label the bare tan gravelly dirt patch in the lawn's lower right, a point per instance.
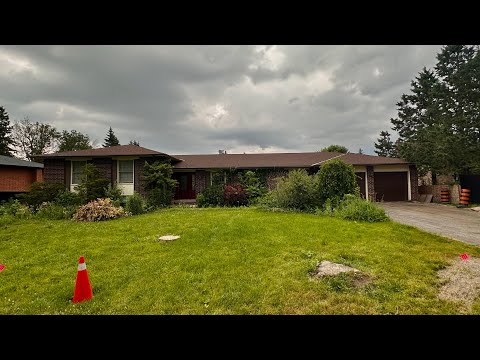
(462, 281)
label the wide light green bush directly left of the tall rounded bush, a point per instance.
(296, 191)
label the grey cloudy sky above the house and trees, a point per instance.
(199, 99)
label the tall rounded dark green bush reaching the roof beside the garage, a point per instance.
(335, 179)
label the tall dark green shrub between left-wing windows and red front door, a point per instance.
(159, 185)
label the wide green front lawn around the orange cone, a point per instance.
(228, 261)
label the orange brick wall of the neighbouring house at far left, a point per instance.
(18, 179)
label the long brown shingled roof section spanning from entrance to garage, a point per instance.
(280, 160)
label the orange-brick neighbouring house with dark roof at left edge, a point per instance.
(17, 175)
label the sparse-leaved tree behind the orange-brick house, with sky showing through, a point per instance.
(34, 138)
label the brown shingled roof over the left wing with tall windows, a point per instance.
(127, 150)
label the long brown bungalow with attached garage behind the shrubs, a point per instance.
(379, 178)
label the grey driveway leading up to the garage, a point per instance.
(456, 223)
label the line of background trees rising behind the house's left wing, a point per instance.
(25, 139)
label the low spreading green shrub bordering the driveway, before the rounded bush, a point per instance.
(356, 209)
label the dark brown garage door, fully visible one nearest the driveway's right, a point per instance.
(391, 186)
